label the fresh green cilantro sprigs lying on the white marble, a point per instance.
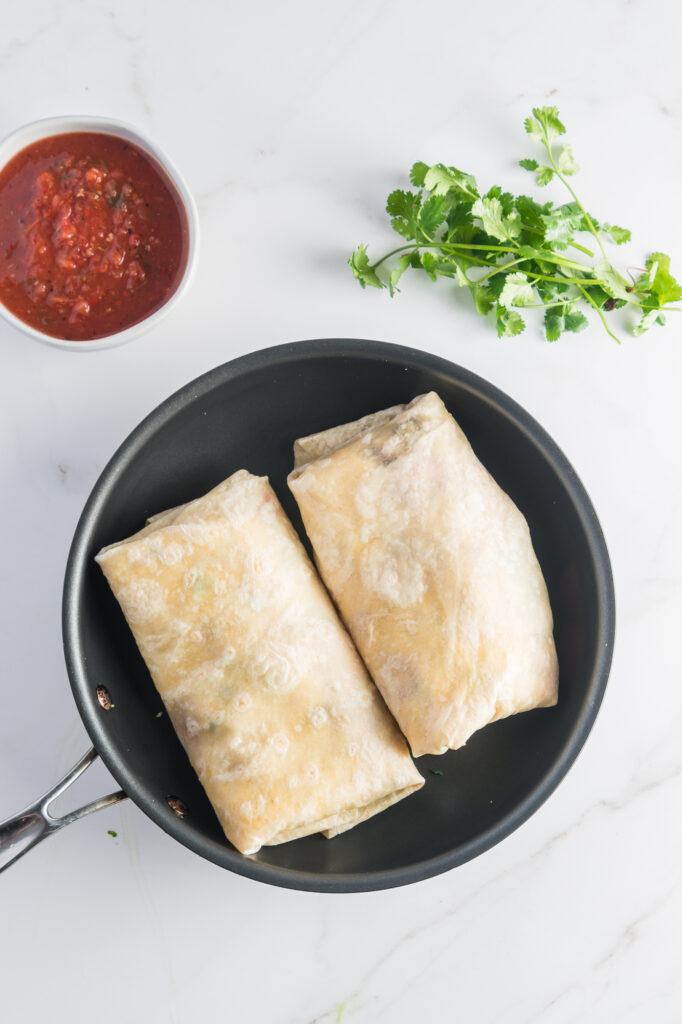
(514, 252)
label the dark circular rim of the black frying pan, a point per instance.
(271, 359)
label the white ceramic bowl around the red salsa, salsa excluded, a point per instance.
(59, 126)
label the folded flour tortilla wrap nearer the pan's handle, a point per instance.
(265, 689)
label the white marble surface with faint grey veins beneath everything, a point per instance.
(291, 123)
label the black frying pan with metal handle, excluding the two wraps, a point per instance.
(246, 415)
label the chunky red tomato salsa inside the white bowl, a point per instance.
(94, 236)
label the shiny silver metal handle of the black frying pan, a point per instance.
(26, 830)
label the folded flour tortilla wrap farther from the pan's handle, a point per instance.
(432, 567)
